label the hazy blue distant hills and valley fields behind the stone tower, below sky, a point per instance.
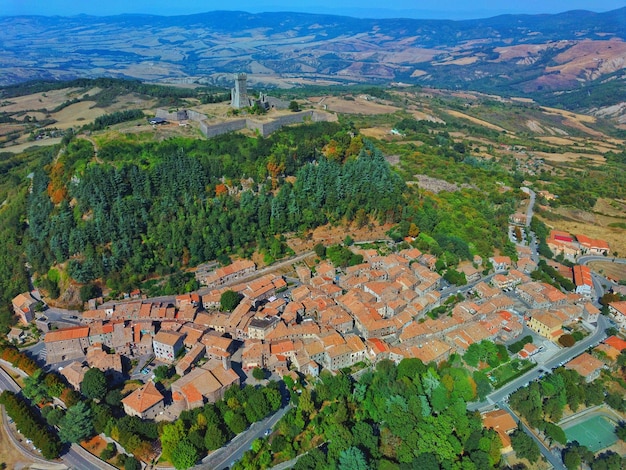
(504, 54)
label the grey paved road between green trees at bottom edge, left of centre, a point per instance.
(234, 450)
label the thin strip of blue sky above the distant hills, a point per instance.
(452, 9)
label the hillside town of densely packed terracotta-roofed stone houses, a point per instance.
(389, 306)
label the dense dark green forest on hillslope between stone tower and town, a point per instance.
(159, 207)
